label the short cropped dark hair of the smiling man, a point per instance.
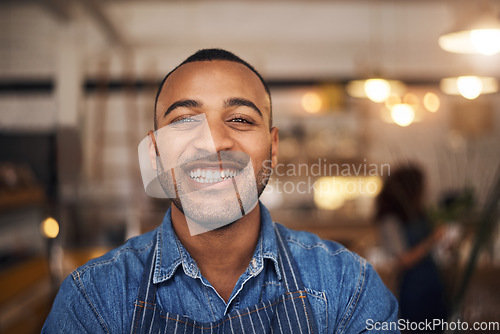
(210, 55)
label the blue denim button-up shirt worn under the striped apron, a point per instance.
(345, 292)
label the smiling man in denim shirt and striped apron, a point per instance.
(218, 263)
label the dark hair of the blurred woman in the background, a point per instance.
(401, 194)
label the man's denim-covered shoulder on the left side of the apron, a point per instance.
(103, 288)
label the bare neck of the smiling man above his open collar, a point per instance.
(222, 255)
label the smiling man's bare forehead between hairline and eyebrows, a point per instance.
(213, 79)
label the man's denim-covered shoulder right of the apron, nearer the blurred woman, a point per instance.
(349, 286)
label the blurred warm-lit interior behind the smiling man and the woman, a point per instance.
(77, 86)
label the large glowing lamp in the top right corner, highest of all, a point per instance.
(477, 34)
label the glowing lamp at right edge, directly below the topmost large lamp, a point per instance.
(469, 86)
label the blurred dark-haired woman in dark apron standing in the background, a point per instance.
(409, 237)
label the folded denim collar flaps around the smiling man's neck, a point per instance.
(170, 253)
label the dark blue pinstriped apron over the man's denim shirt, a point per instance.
(289, 313)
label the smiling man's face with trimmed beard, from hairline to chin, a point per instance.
(231, 102)
